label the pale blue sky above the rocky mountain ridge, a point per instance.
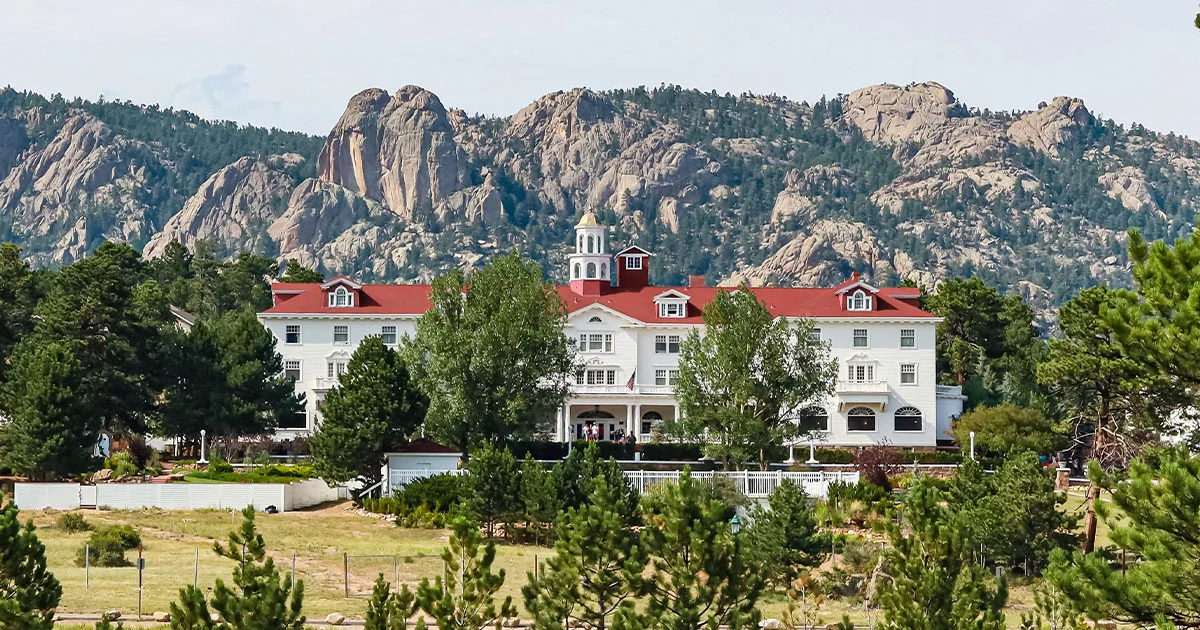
(295, 64)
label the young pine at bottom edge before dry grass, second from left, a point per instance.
(261, 598)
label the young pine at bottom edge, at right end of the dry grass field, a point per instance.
(465, 598)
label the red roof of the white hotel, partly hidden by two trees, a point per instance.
(638, 304)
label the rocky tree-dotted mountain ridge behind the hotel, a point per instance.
(901, 183)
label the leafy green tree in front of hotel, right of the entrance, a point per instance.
(743, 385)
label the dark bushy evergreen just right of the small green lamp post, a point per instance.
(784, 535)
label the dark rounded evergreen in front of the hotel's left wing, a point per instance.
(374, 409)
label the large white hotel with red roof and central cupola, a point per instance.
(629, 335)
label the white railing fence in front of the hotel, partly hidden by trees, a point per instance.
(753, 484)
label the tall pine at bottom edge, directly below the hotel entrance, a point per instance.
(596, 572)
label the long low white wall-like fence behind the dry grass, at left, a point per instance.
(175, 496)
